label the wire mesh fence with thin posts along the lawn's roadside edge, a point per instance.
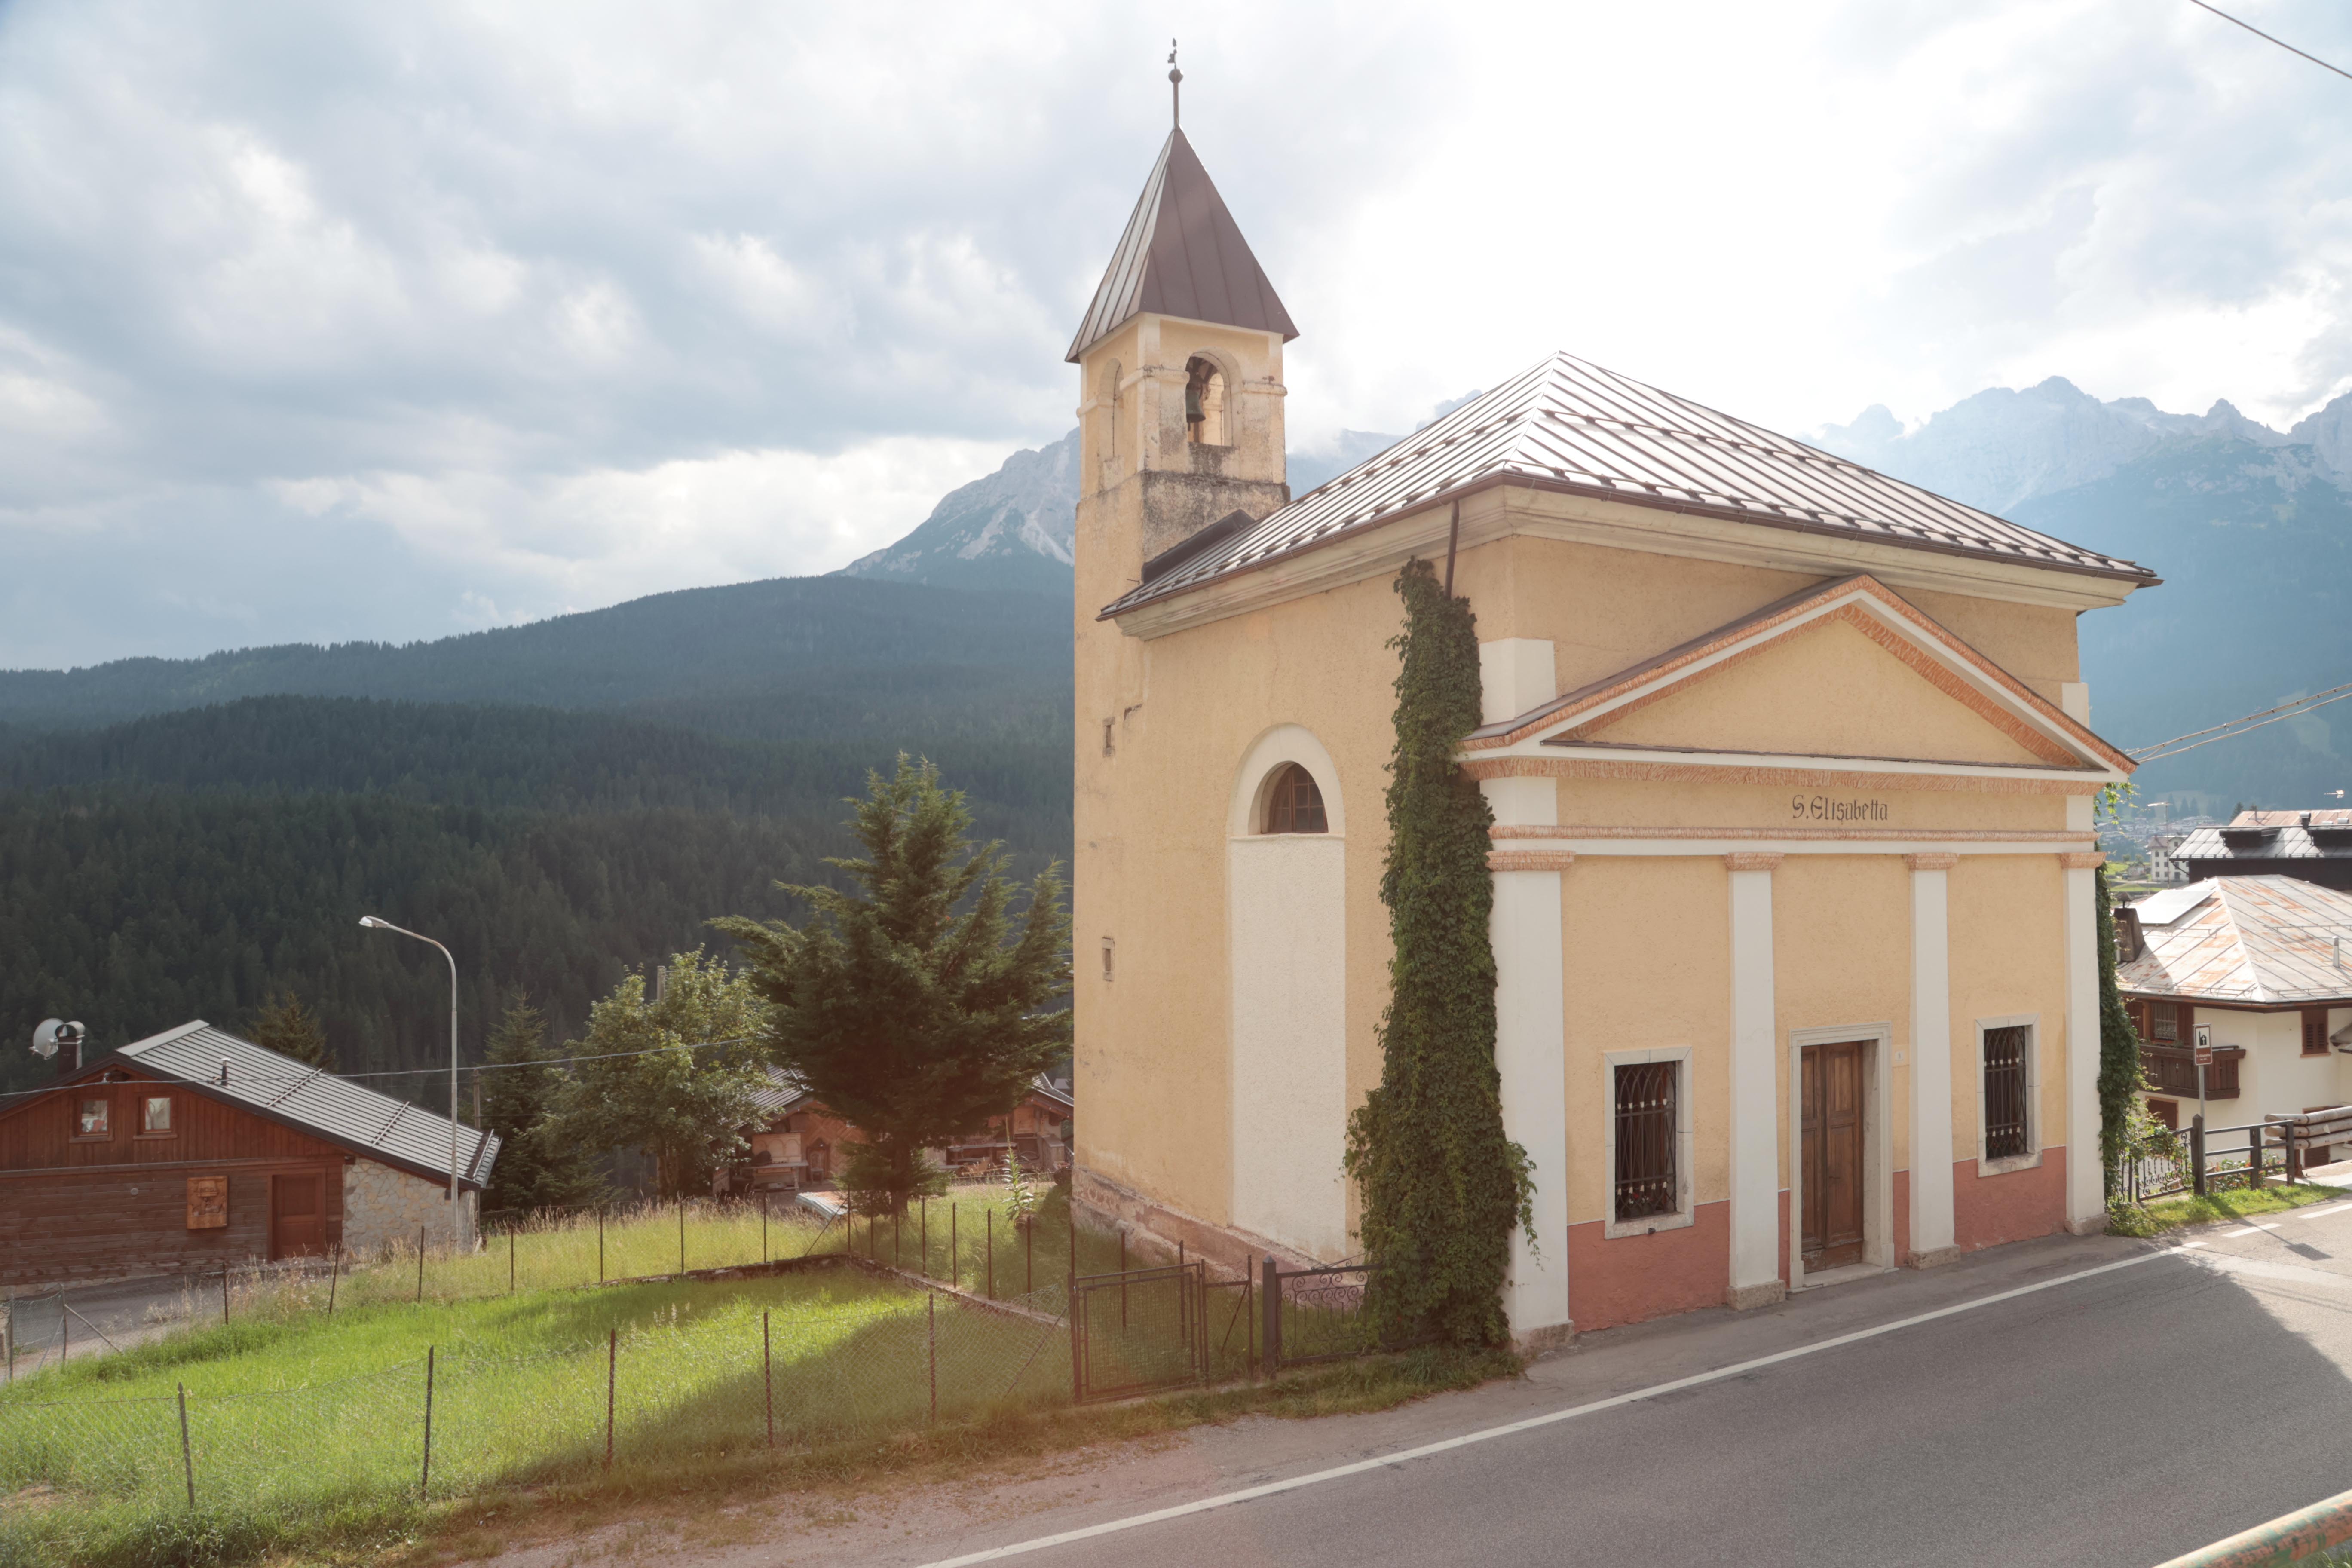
(457, 1423)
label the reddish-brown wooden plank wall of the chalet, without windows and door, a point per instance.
(98, 1207)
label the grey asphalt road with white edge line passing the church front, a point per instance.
(2113, 1419)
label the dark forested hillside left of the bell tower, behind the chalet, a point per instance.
(559, 803)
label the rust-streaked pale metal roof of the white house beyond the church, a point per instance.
(2259, 942)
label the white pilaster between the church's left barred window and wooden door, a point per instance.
(1756, 1099)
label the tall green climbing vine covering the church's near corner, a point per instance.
(1441, 1181)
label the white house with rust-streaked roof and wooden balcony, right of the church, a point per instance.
(2264, 963)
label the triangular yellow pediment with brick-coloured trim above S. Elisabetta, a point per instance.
(1845, 671)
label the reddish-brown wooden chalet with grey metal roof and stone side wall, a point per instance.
(194, 1148)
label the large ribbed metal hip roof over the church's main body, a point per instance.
(1572, 427)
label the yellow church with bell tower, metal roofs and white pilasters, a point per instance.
(1793, 815)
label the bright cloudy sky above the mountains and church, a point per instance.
(396, 321)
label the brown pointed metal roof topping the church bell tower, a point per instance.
(1182, 255)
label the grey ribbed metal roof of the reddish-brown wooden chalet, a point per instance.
(312, 1099)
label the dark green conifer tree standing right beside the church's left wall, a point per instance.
(918, 1005)
